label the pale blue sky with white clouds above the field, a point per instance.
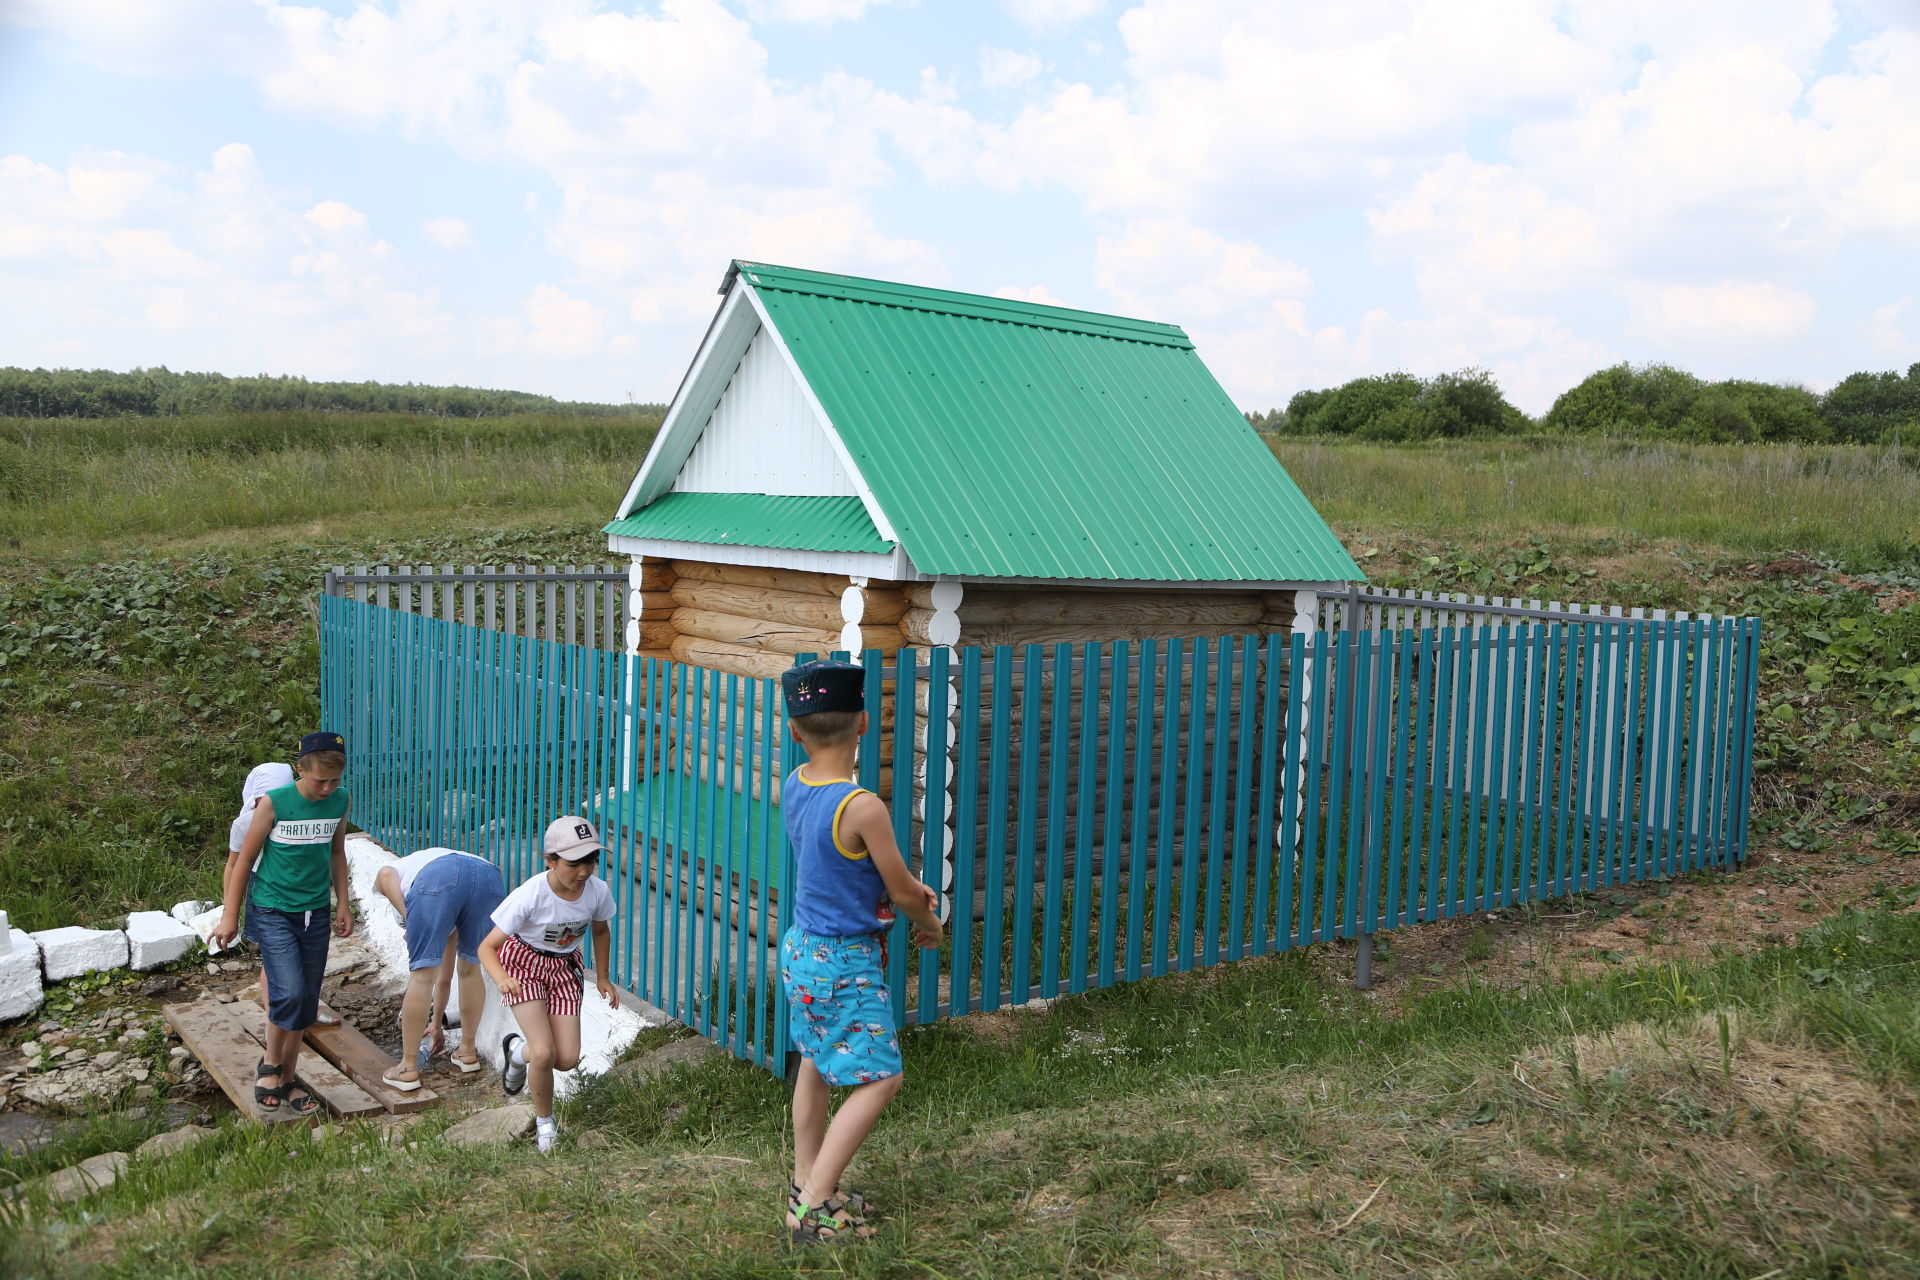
(546, 195)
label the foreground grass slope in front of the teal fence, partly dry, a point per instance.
(1716, 1122)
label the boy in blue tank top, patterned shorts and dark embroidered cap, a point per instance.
(832, 959)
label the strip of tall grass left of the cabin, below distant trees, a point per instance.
(133, 481)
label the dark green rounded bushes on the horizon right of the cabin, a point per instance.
(1644, 402)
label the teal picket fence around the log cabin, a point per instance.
(1092, 813)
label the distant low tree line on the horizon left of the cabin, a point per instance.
(166, 394)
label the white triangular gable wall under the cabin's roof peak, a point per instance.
(765, 437)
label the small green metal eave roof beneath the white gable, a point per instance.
(756, 521)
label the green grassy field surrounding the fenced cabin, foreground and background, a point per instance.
(1717, 1118)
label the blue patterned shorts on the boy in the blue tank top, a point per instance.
(840, 1008)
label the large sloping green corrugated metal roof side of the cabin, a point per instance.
(1013, 440)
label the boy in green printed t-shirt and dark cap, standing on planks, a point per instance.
(295, 853)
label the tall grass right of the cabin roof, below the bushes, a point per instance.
(1846, 500)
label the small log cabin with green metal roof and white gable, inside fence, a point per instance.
(857, 465)
